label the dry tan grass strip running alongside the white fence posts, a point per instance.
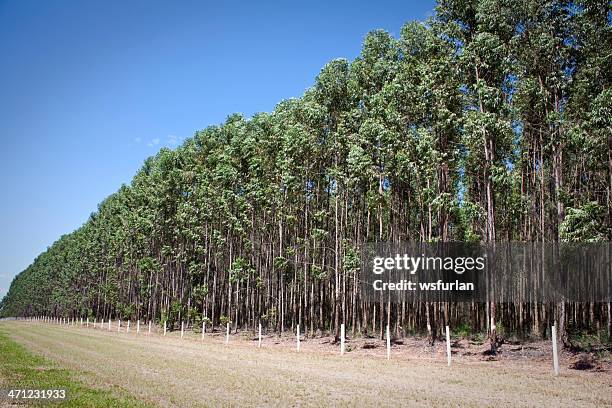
(171, 372)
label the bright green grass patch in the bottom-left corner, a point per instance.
(20, 369)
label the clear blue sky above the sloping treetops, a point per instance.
(89, 89)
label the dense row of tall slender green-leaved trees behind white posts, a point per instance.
(489, 122)
